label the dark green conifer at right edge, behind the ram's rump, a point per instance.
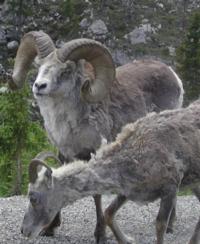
(188, 59)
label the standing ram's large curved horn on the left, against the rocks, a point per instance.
(32, 44)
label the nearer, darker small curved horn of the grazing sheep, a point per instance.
(33, 169)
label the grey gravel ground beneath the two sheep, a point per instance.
(79, 221)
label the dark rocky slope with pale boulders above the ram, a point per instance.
(130, 28)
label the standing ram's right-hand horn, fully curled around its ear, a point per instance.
(101, 59)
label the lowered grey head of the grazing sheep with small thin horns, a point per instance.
(44, 202)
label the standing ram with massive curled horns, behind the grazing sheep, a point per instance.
(82, 97)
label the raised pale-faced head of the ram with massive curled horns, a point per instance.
(59, 67)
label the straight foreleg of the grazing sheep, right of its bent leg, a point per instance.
(167, 204)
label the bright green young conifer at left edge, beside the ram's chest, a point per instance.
(20, 140)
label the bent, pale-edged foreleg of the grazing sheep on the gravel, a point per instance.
(110, 221)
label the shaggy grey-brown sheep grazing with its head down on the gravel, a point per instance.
(150, 159)
